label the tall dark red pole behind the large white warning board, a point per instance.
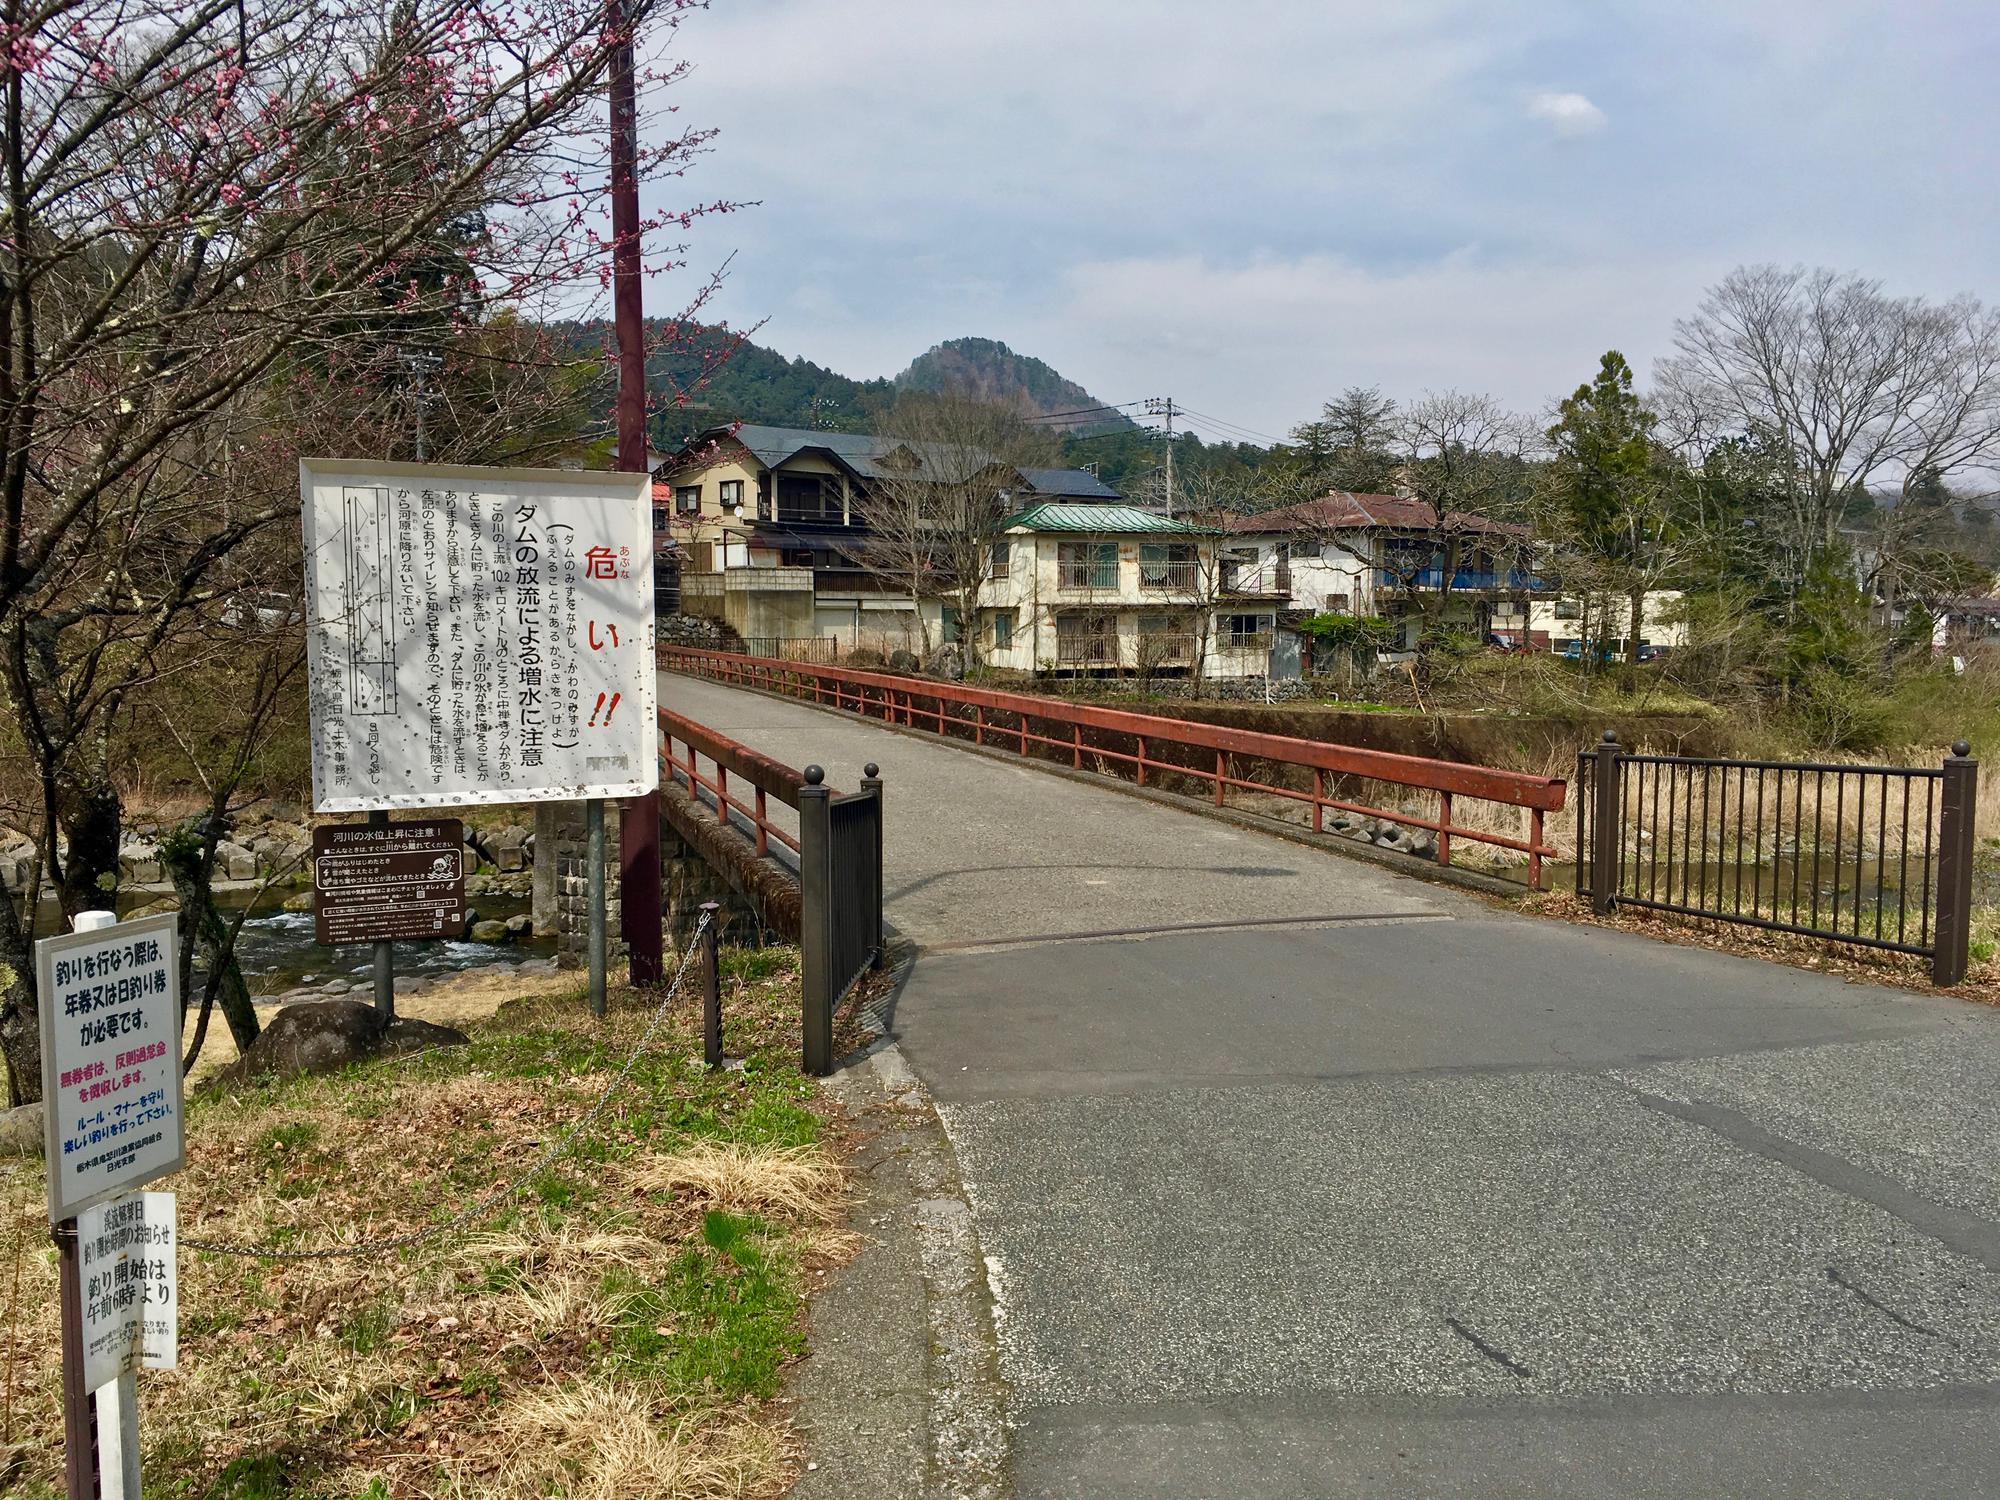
(639, 819)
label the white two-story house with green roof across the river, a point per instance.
(1109, 591)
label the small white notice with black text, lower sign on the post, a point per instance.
(131, 1281)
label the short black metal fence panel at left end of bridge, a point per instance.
(841, 901)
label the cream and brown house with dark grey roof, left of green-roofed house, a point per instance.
(765, 527)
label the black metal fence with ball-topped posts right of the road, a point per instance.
(1877, 857)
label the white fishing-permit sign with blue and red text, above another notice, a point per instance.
(111, 1061)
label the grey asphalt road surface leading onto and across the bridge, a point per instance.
(1301, 1177)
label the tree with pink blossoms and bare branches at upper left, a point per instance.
(221, 227)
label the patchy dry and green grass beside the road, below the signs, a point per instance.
(615, 1329)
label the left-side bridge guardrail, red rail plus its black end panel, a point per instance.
(839, 853)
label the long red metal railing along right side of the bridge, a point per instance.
(1153, 747)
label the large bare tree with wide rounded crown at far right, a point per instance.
(1845, 383)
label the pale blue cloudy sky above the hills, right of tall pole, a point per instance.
(1253, 205)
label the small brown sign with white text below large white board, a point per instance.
(391, 883)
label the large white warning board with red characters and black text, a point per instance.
(477, 635)
